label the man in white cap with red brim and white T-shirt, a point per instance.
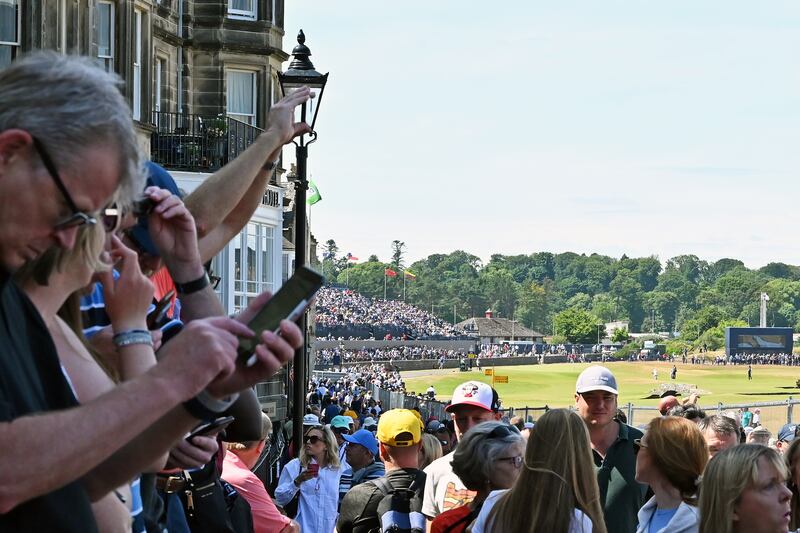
(473, 402)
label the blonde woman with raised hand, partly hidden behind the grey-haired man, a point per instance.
(51, 282)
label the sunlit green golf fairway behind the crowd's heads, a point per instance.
(554, 385)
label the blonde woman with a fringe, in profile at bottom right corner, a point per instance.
(744, 491)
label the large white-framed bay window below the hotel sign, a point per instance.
(253, 253)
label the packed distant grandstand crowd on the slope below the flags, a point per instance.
(343, 307)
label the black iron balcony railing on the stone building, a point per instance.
(198, 143)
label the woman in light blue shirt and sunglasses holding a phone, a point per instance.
(314, 479)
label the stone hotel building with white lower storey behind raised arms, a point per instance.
(200, 76)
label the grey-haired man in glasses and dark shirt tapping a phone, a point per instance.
(67, 145)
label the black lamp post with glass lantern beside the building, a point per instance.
(301, 73)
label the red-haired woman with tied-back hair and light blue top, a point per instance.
(671, 457)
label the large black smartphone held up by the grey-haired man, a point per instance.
(289, 303)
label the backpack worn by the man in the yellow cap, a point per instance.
(400, 510)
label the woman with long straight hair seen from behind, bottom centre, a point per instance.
(557, 489)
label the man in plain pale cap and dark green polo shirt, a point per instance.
(612, 447)
